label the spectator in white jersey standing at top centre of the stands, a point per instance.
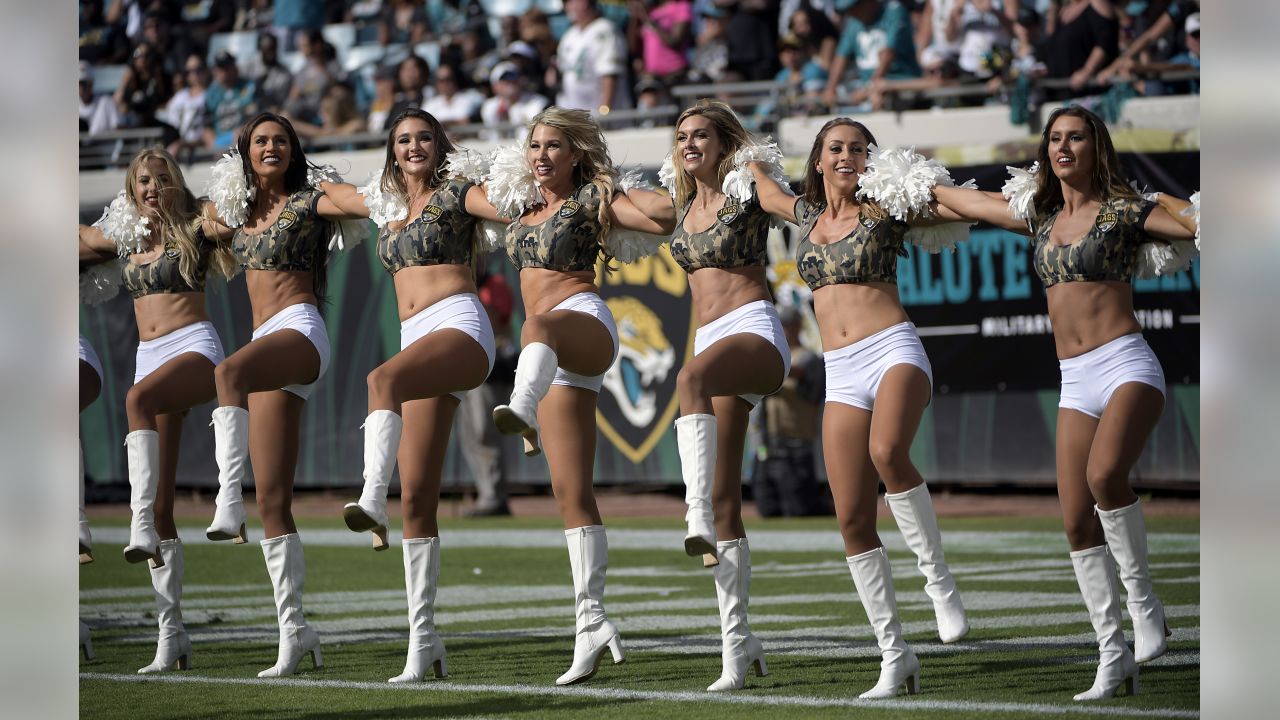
(592, 62)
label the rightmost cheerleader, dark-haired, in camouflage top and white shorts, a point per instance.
(1091, 233)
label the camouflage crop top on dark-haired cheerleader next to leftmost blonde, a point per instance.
(298, 240)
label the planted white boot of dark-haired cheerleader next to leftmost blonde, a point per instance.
(289, 571)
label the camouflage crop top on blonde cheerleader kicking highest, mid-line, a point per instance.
(568, 241)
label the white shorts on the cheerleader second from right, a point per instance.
(854, 372)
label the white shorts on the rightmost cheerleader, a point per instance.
(1090, 380)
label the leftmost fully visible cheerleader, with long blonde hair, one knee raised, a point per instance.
(157, 227)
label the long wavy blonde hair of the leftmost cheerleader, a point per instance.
(179, 217)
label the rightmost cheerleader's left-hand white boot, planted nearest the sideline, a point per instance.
(1096, 575)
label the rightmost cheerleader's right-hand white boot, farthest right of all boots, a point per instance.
(1126, 531)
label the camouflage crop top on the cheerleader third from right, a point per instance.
(737, 239)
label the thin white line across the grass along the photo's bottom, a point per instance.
(746, 699)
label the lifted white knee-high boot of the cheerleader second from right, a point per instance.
(913, 511)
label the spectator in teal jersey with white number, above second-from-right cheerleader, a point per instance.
(877, 44)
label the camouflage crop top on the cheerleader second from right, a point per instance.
(868, 254)
